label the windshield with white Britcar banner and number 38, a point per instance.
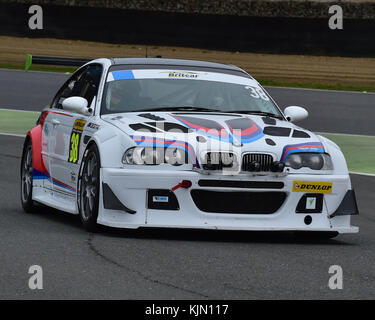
(148, 90)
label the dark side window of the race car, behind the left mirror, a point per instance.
(84, 83)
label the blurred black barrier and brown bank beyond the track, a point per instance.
(280, 42)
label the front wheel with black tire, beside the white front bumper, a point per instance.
(90, 189)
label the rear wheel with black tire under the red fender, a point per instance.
(27, 178)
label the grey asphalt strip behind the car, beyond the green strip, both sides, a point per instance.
(329, 111)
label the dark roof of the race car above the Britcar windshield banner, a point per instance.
(175, 62)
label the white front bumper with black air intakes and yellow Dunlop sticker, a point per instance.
(132, 187)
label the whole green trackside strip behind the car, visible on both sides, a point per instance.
(359, 151)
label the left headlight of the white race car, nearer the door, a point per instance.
(155, 156)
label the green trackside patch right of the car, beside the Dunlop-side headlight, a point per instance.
(359, 151)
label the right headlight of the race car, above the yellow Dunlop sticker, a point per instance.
(314, 161)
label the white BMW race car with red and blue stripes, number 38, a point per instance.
(132, 142)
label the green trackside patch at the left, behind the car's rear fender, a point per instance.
(16, 122)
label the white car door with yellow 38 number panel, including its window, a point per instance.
(68, 129)
